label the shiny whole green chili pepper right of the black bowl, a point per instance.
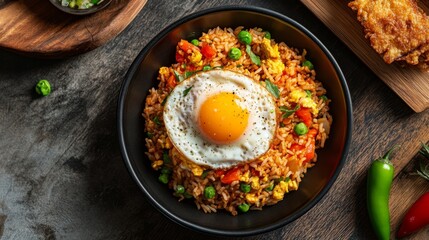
(379, 181)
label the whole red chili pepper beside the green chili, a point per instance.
(416, 218)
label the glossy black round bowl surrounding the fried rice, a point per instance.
(161, 51)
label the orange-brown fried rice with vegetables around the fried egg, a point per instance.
(277, 172)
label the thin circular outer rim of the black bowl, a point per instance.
(134, 67)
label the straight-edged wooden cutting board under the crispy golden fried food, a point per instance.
(411, 84)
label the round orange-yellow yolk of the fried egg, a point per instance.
(221, 119)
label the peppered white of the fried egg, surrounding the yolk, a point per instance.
(181, 119)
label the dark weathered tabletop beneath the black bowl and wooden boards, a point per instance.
(62, 176)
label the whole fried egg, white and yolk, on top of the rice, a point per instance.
(220, 118)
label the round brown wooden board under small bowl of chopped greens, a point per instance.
(37, 28)
